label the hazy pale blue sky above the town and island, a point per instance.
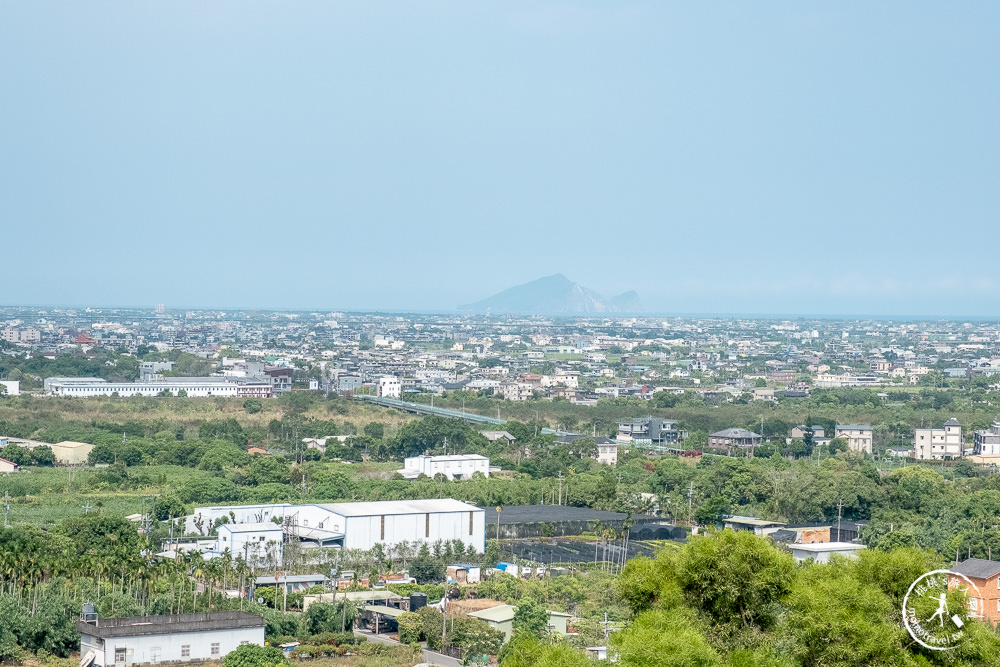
(799, 157)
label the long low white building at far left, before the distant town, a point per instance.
(193, 386)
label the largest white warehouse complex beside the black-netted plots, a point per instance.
(349, 525)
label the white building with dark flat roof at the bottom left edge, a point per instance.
(120, 642)
